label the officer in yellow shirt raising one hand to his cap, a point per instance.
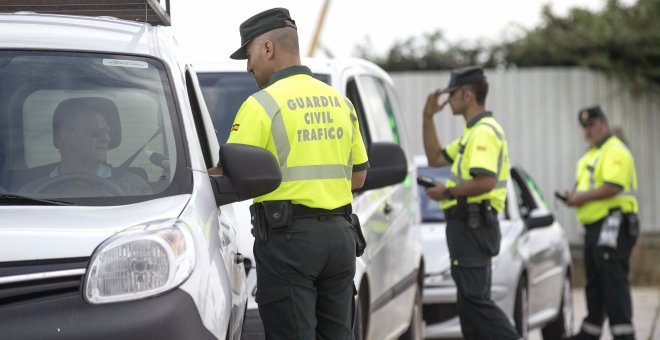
(471, 199)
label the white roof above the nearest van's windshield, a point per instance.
(26, 30)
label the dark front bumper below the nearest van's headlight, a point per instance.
(169, 316)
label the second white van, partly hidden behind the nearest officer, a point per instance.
(390, 274)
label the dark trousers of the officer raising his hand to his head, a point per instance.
(470, 251)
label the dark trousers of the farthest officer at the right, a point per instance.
(608, 289)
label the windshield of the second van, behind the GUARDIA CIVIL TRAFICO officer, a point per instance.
(225, 92)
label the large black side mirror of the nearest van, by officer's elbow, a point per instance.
(248, 172)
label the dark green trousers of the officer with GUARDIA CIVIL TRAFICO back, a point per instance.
(305, 280)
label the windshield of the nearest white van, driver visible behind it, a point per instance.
(90, 129)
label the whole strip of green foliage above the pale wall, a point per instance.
(621, 41)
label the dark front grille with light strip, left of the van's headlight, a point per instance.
(26, 280)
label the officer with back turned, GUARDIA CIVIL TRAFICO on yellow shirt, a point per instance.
(305, 245)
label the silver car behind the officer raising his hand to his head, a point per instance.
(531, 279)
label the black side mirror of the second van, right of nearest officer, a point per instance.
(388, 166)
